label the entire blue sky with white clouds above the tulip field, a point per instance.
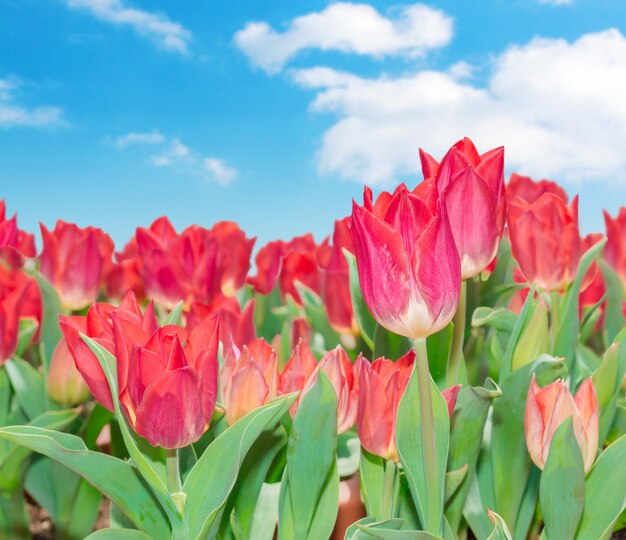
(114, 112)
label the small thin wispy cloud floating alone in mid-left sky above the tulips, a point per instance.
(172, 153)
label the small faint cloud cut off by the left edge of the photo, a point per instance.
(13, 114)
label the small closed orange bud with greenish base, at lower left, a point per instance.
(65, 383)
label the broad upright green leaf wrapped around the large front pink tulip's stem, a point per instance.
(426, 479)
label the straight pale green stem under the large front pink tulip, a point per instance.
(428, 423)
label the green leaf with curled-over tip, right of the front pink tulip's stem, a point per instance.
(468, 422)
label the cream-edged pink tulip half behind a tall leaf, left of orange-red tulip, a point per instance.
(342, 375)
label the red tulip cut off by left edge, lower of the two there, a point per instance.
(19, 299)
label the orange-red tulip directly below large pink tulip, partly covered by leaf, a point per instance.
(381, 385)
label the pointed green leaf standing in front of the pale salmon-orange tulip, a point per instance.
(562, 487)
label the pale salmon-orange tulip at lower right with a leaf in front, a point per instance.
(548, 407)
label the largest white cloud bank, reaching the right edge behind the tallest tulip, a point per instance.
(558, 108)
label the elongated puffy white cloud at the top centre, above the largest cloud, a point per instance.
(351, 28)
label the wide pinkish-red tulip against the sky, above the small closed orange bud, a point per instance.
(76, 261)
